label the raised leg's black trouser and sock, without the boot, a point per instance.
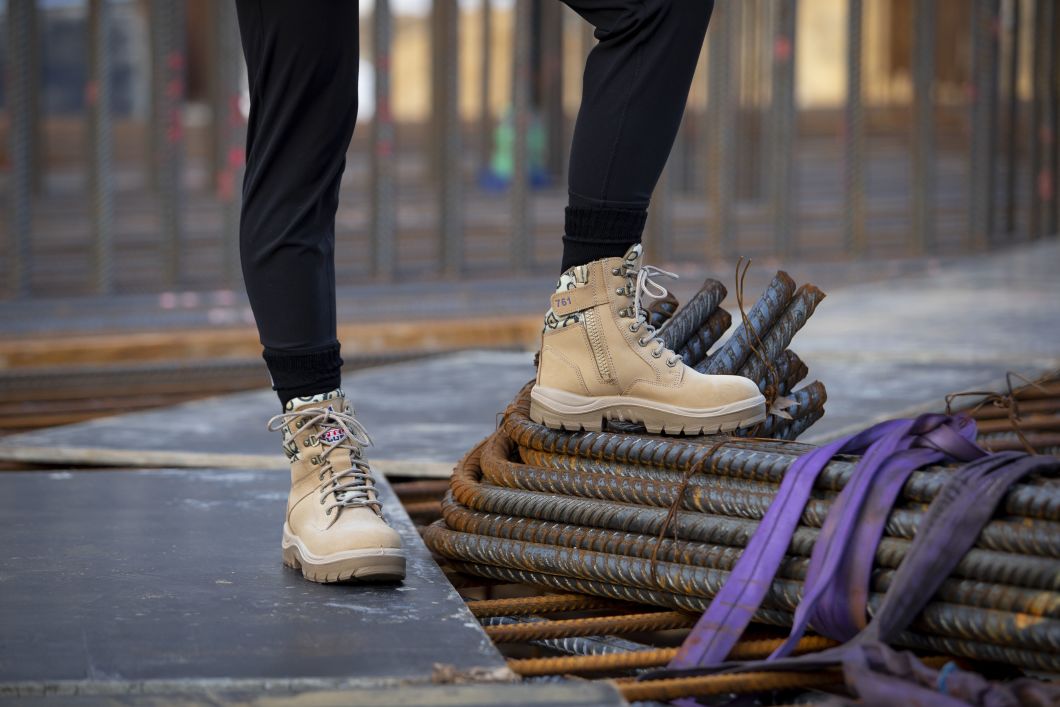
(633, 97)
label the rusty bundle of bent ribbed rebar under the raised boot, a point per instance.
(662, 521)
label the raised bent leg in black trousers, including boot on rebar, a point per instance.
(600, 360)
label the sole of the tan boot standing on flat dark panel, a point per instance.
(364, 565)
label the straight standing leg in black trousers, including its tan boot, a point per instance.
(303, 65)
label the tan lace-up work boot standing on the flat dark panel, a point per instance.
(334, 531)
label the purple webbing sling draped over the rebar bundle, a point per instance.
(837, 587)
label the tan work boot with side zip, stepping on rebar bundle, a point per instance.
(600, 360)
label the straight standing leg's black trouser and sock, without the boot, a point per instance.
(303, 69)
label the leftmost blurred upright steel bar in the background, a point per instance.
(20, 147)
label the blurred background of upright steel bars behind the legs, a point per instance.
(816, 130)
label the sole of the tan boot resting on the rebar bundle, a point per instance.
(559, 410)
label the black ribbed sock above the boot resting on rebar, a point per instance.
(593, 233)
